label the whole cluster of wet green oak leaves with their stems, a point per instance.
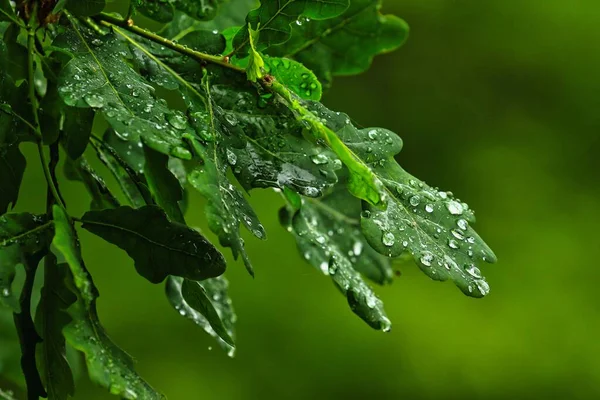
(249, 78)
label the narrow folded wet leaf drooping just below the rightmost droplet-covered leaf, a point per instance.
(332, 256)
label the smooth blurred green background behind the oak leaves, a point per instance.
(496, 100)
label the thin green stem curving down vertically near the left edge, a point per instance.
(34, 108)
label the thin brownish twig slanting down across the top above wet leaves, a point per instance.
(109, 20)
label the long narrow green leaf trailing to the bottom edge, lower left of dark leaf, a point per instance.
(107, 365)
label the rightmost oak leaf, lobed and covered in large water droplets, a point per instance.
(430, 224)
